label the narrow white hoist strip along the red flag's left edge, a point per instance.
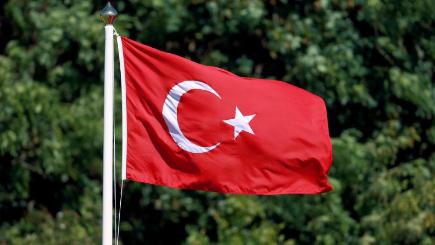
(124, 108)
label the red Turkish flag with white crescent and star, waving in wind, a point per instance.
(194, 126)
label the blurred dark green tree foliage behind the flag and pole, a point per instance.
(372, 61)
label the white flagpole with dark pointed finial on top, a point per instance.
(108, 15)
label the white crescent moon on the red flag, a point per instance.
(171, 117)
